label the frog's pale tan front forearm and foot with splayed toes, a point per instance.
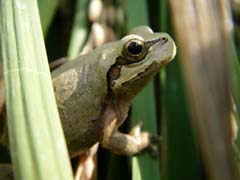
(130, 144)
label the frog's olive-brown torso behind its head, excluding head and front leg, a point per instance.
(80, 89)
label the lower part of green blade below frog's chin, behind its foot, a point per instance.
(143, 109)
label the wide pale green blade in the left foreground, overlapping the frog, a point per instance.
(37, 145)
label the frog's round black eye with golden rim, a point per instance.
(134, 50)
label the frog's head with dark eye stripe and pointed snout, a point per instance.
(141, 55)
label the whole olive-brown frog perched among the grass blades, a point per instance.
(94, 92)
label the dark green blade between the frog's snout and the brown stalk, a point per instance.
(180, 152)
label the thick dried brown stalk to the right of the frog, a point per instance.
(204, 40)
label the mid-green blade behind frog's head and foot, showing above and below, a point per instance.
(143, 109)
